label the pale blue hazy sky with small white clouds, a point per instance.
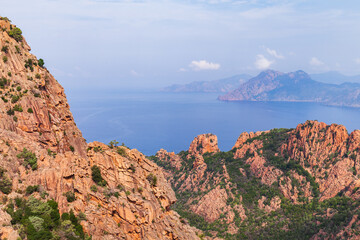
(122, 44)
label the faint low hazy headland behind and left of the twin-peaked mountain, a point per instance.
(217, 86)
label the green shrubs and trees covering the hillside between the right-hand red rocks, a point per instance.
(302, 220)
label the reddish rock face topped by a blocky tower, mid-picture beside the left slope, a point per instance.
(192, 175)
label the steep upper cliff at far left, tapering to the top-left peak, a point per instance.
(27, 85)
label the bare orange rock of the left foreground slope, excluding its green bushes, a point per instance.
(135, 204)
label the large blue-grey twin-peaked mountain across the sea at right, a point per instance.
(294, 87)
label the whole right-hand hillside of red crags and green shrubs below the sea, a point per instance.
(300, 183)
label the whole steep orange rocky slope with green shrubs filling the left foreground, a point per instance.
(47, 168)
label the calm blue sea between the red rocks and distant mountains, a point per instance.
(149, 121)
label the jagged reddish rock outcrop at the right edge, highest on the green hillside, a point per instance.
(329, 153)
